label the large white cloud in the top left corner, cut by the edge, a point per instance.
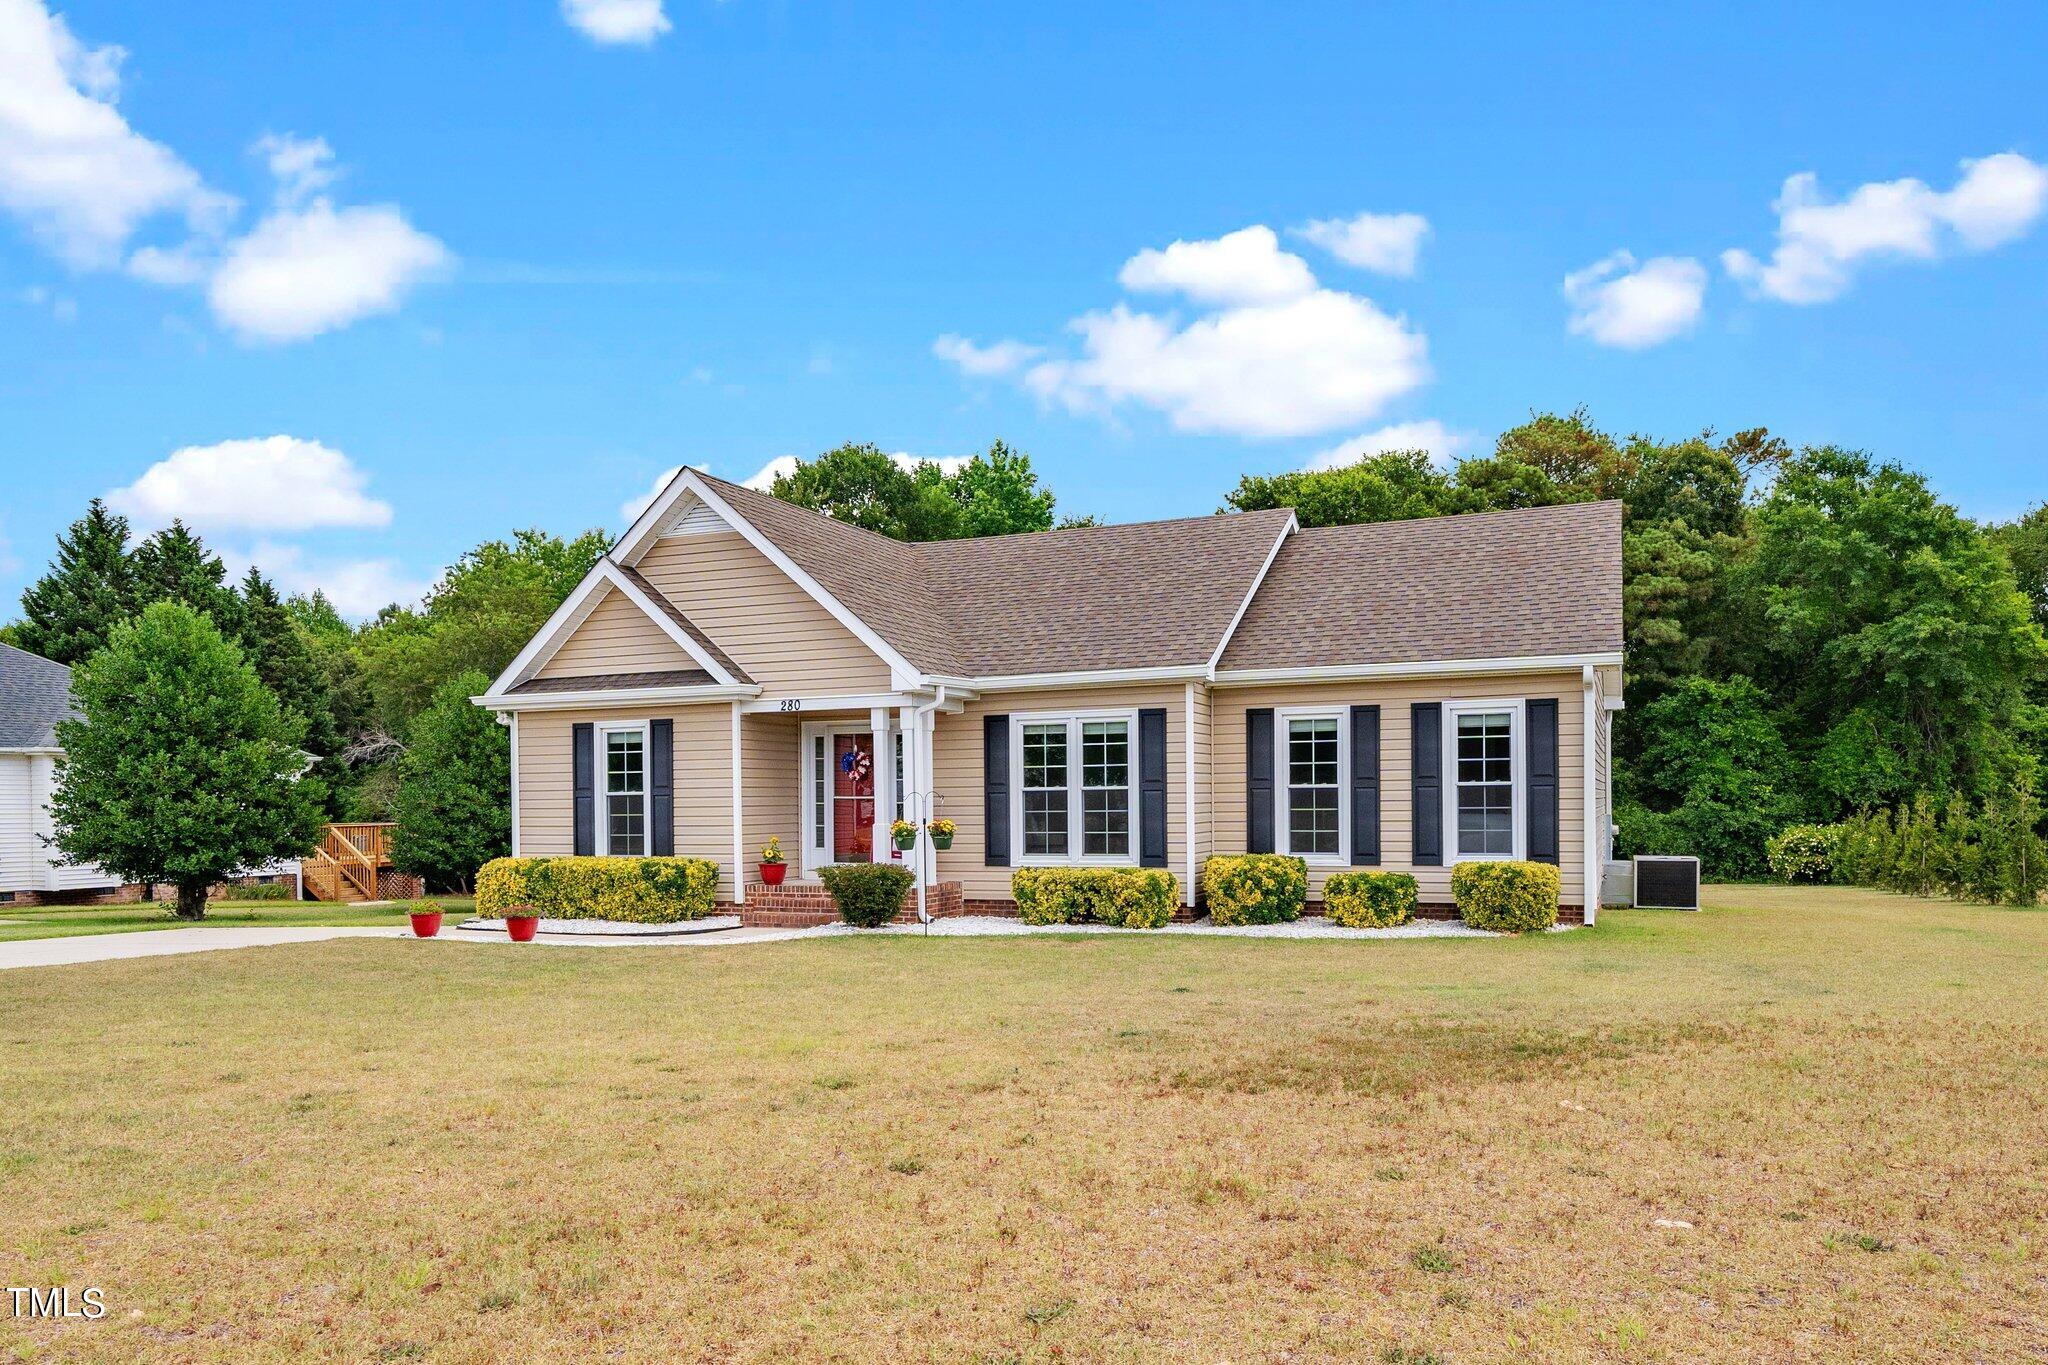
(71, 165)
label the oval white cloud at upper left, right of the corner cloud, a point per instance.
(308, 271)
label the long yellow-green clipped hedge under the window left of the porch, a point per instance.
(642, 891)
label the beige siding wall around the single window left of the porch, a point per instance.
(703, 781)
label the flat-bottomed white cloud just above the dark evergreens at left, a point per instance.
(263, 484)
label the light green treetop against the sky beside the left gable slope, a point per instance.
(478, 617)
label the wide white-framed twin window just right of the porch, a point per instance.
(1076, 787)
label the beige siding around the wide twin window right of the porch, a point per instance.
(957, 775)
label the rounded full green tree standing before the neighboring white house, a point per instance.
(181, 766)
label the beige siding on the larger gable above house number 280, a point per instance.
(763, 619)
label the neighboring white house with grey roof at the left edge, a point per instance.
(34, 697)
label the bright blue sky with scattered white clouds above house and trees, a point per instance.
(501, 265)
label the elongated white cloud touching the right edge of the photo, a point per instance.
(1822, 243)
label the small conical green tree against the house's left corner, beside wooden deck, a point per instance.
(456, 789)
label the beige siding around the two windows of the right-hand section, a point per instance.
(1228, 764)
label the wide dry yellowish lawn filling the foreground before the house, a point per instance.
(1799, 1127)
